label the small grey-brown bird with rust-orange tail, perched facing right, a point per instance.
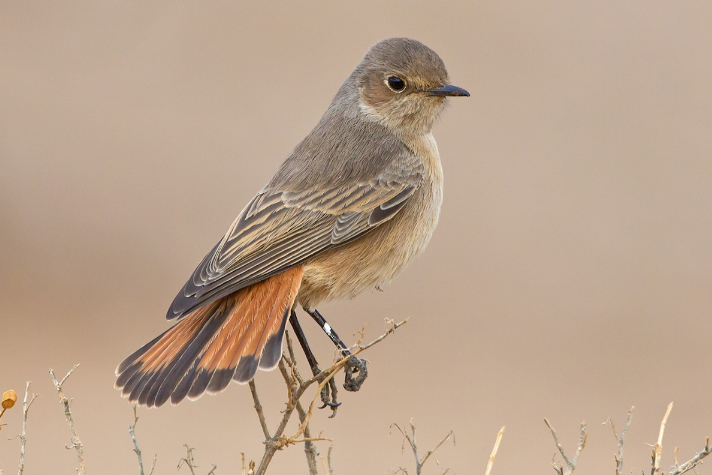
(354, 202)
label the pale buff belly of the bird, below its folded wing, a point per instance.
(375, 258)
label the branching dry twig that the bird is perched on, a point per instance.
(296, 387)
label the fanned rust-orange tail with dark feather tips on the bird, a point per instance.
(225, 340)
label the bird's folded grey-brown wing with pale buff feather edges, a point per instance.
(279, 229)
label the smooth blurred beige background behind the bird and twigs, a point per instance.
(570, 276)
